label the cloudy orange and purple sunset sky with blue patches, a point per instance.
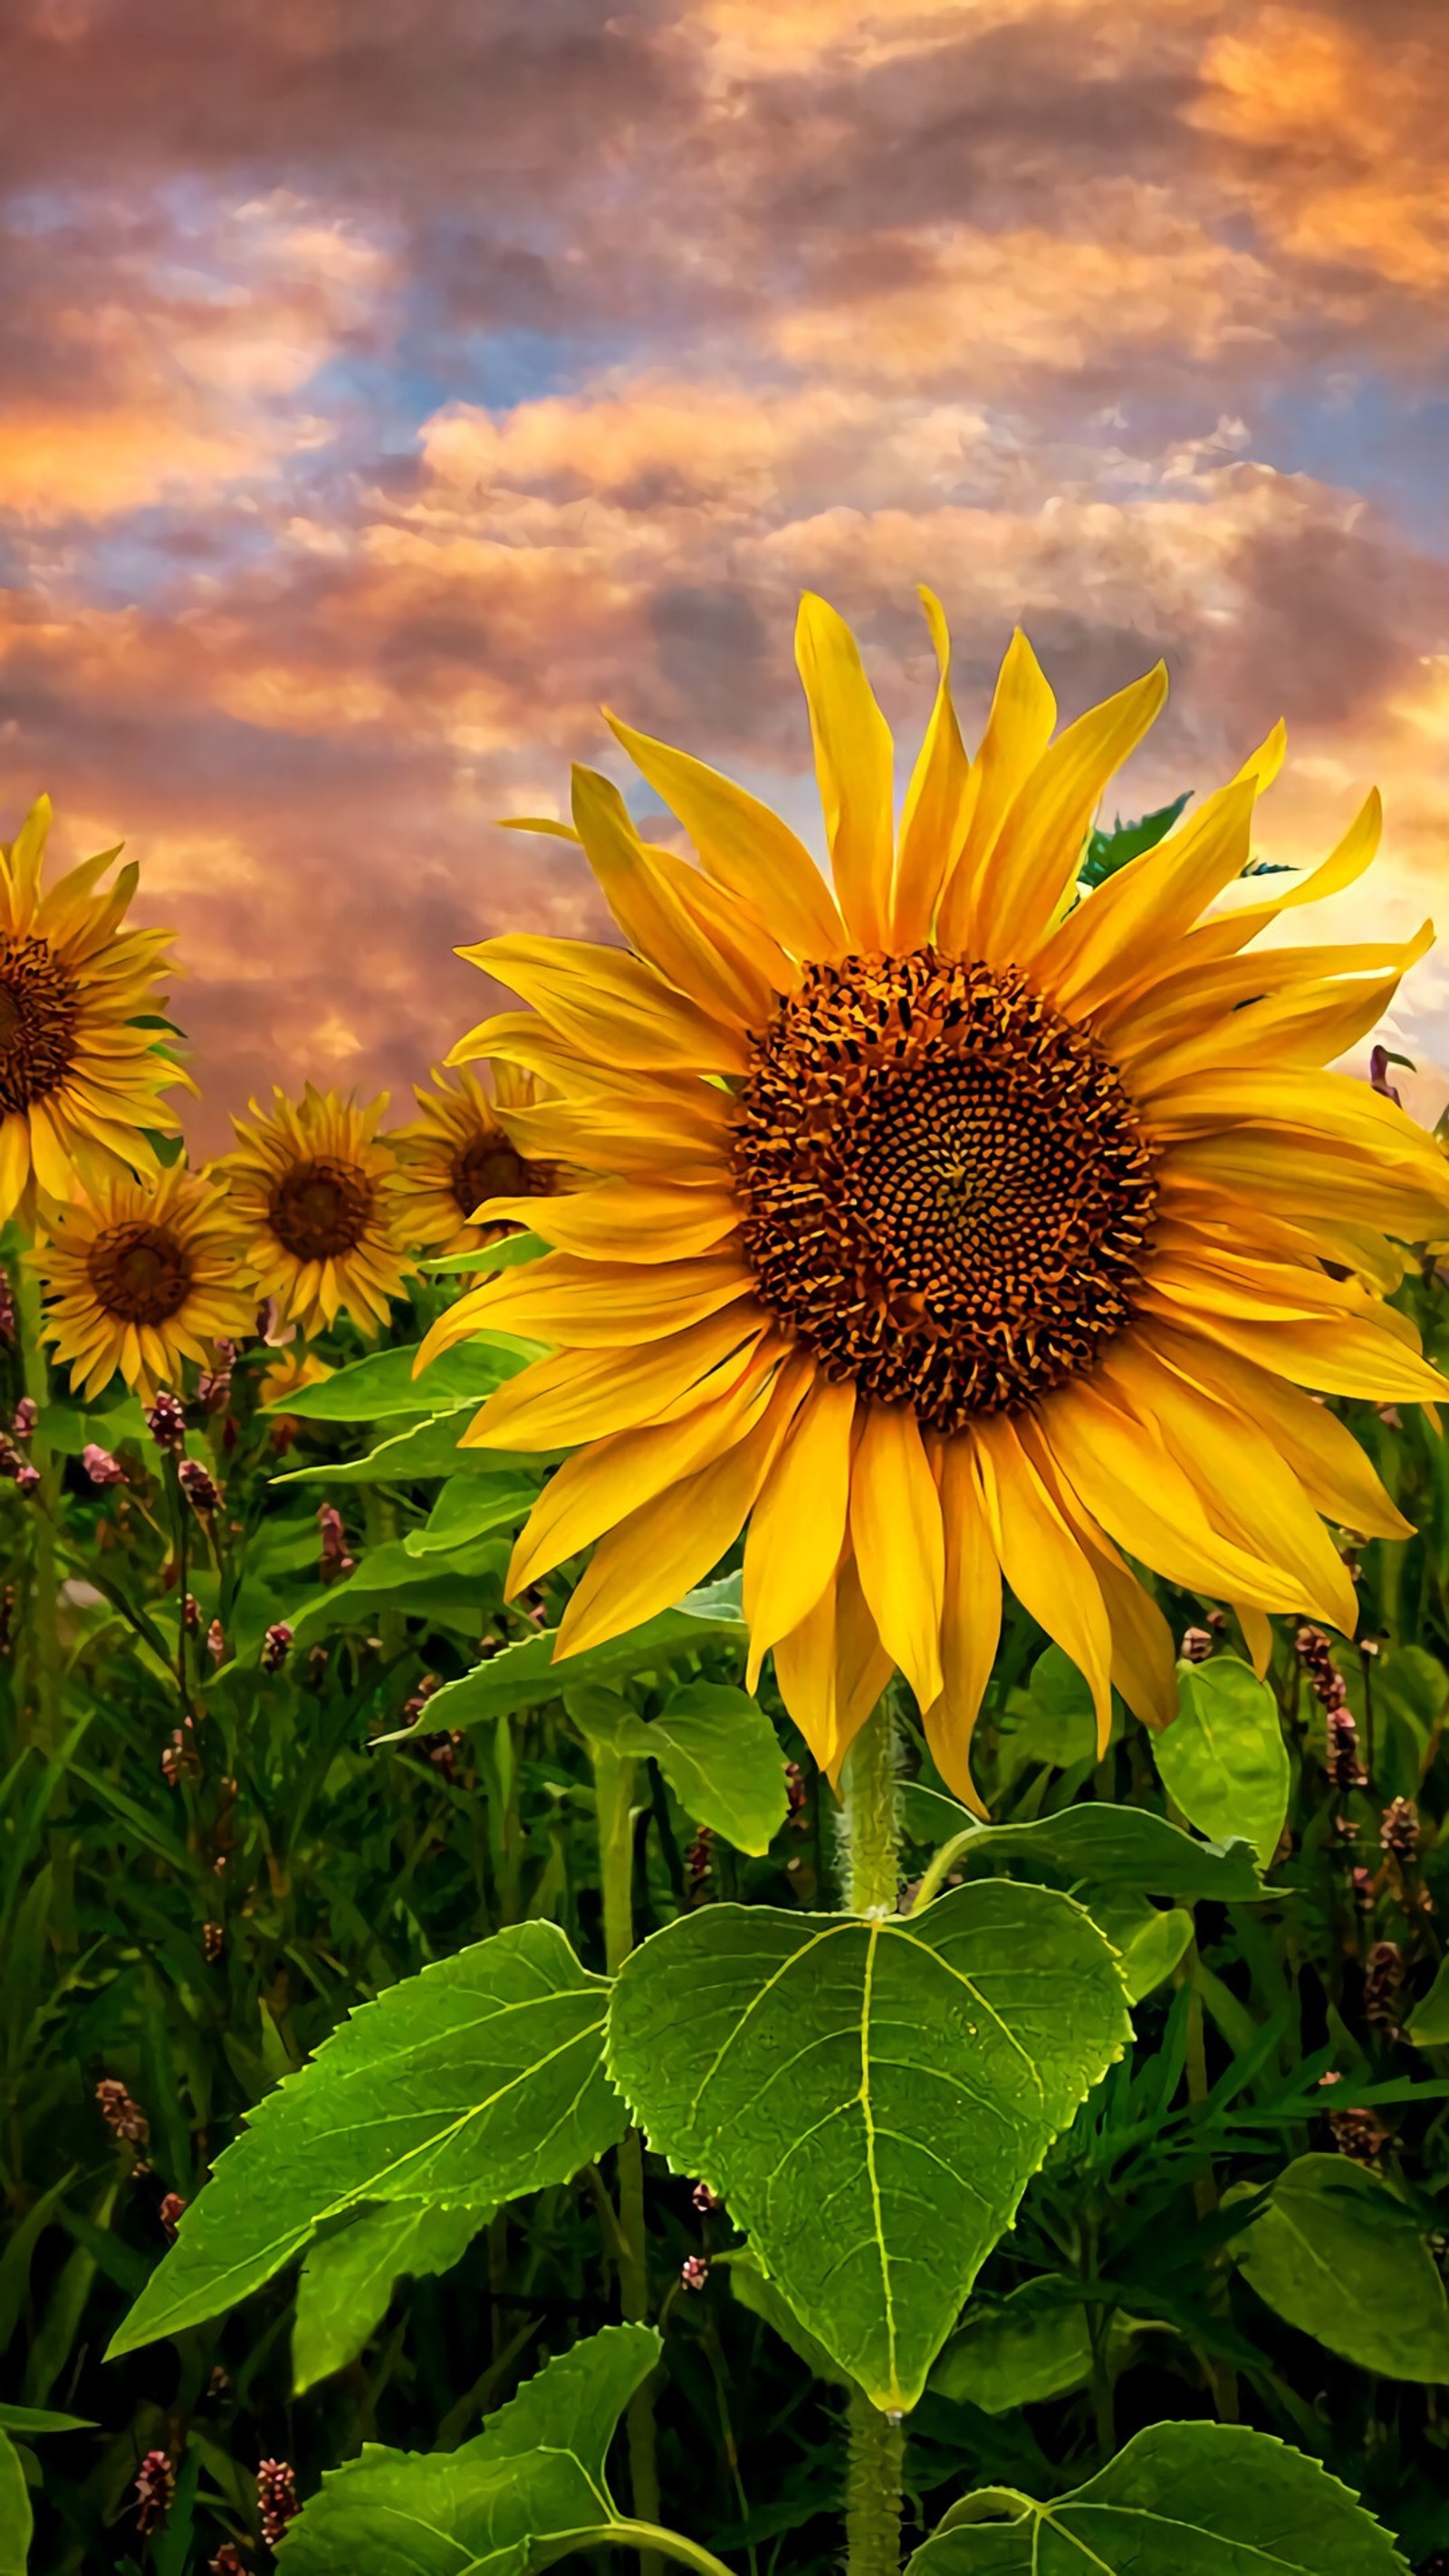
(385, 385)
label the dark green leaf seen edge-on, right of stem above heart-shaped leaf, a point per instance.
(1105, 1846)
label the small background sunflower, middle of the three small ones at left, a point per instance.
(315, 1189)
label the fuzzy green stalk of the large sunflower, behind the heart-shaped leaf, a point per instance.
(871, 1887)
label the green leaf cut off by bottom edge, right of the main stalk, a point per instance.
(1180, 2500)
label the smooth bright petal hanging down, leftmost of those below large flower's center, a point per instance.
(797, 1529)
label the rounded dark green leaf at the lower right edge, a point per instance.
(1340, 2255)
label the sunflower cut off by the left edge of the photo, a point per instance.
(81, 1078)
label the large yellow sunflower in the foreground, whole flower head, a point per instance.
(948, 1227)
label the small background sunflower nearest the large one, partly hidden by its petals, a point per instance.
(462, 1153)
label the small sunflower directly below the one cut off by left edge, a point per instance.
(140, 1279)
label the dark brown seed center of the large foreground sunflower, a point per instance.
(946, 1186)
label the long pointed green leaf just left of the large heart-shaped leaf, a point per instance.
(477, 2080)
